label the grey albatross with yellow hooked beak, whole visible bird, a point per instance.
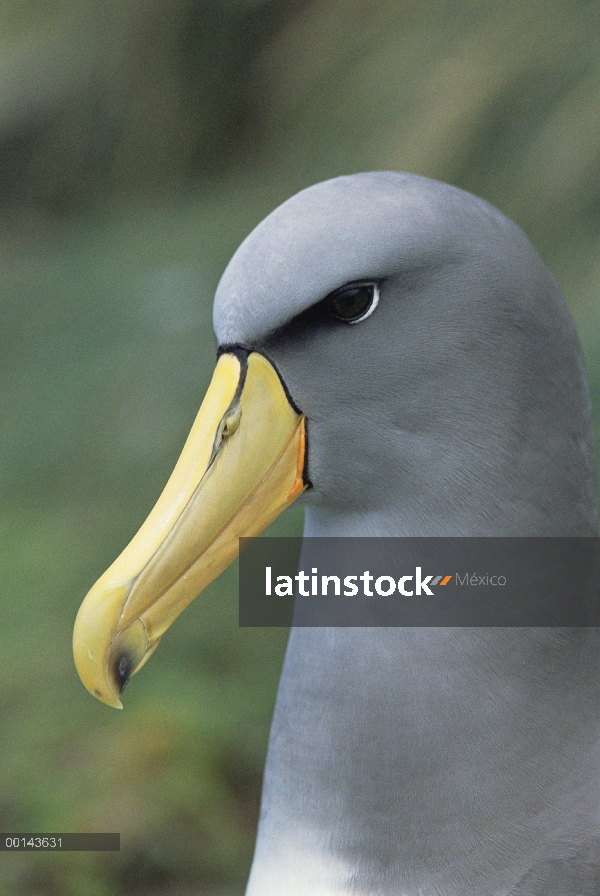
(394, 354)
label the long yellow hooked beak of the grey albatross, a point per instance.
(241, 466)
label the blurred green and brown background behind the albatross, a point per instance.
(140, 141)
